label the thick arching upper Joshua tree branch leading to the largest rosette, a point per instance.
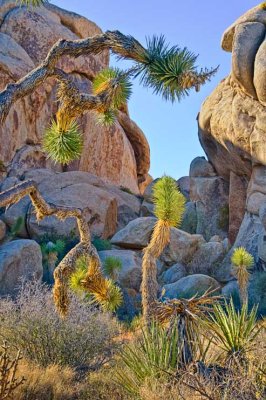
(125, 46)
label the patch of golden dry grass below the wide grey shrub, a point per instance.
(48, 383)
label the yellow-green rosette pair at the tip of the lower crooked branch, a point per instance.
(88, 278)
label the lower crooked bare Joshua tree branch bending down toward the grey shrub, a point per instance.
(43, 209)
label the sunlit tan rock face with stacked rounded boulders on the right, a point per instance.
(232, 120)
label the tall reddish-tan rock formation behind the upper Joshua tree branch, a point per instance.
(120, 154)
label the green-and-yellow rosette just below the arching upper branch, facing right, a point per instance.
(115, 83)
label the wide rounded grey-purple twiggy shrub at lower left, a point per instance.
(82, 340)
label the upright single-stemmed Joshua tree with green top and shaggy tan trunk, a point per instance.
(169, 209)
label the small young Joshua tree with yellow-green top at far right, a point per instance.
(242, 261)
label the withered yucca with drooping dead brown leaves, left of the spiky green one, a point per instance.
(187, 316)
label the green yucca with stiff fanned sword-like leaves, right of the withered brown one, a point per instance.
(234, 330)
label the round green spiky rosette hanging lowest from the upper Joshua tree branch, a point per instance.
(63, 146)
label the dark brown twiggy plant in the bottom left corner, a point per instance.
(8, 372)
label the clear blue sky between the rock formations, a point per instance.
(171, 129)
